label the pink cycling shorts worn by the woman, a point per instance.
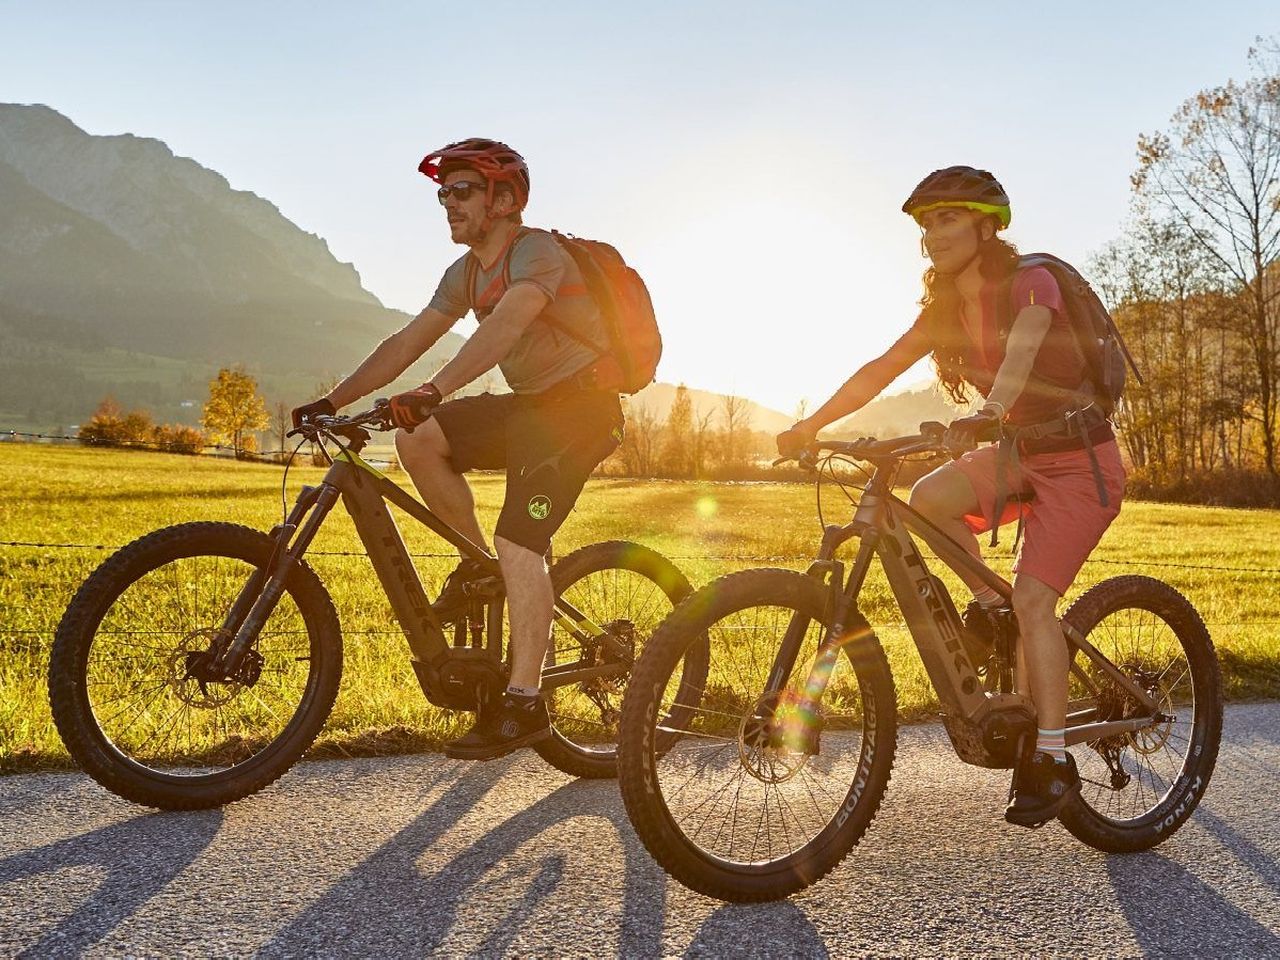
(1064, 522)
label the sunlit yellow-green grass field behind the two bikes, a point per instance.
(1226, 561)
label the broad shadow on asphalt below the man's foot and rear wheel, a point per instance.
(388, 906)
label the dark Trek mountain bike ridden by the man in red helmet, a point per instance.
(198, 664)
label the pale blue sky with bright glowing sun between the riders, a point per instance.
(748, 159)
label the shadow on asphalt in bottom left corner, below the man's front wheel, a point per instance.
(138, 858)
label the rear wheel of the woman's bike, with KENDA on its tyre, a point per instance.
(1139, 789)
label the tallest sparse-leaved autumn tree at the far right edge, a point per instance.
(1217, 173)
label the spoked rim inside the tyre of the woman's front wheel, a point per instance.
(753, 780)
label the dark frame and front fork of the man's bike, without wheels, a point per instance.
(365, 493)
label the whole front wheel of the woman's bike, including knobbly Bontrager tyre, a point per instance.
(743, 792)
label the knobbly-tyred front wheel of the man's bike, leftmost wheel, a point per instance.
(126, 685)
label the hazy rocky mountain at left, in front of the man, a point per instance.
(126, 268)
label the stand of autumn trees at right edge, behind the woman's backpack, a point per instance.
(1195, 287)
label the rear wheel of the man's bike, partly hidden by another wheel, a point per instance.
(628, 589)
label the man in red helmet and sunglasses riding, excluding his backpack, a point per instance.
(541, 326)
